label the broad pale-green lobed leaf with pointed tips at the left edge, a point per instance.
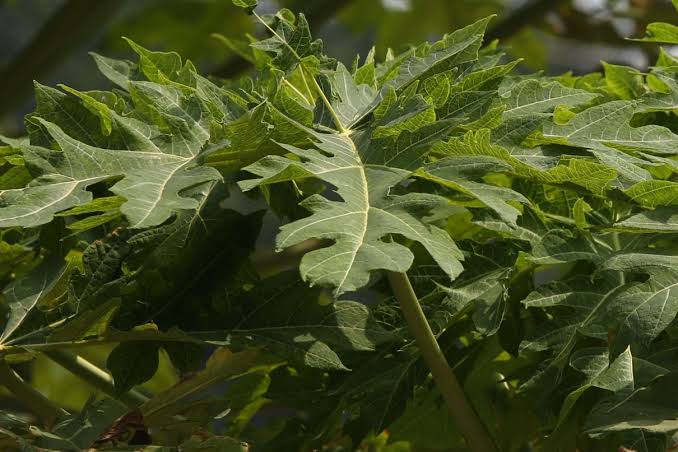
(152, 182)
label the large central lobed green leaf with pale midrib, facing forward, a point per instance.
(366, 215)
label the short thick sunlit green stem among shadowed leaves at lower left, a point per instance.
(93, 375)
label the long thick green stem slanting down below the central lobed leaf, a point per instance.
(465, 419)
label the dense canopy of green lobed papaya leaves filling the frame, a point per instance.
(536, 216)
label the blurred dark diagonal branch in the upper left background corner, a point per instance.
(65, 31)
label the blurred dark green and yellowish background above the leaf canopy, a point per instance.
(49, 40)
